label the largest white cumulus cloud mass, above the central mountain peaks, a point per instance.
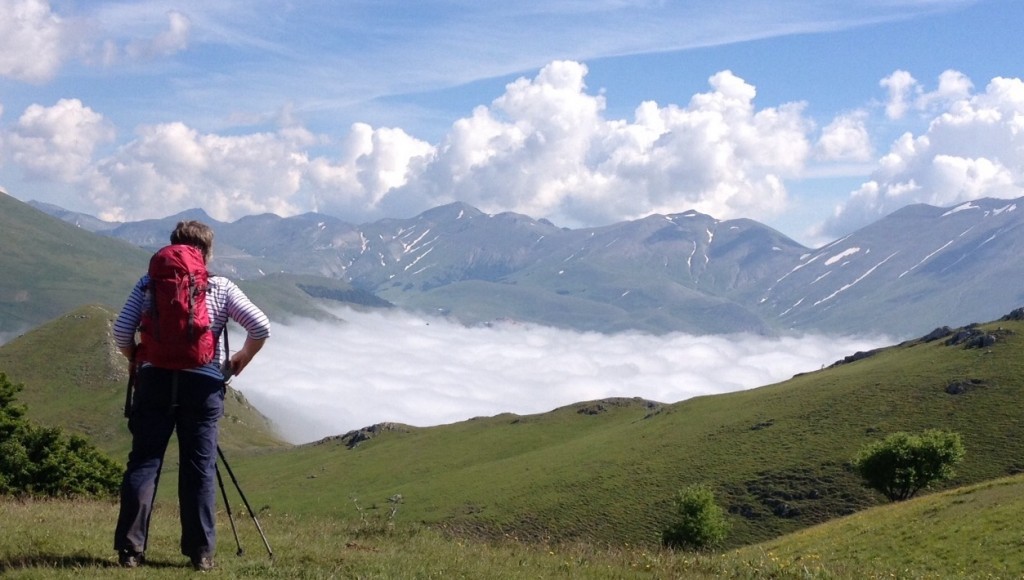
(545, 148)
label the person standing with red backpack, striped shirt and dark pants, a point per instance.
(185, 393)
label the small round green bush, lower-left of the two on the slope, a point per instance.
(700, 522)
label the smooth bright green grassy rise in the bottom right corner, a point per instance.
(969, 532)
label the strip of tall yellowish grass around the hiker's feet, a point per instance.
(59, 540)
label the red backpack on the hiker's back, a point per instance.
(176, 327)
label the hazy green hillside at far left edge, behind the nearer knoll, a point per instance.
(51, 267)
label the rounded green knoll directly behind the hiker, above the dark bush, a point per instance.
(75, 378)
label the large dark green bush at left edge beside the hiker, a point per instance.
(42, 462)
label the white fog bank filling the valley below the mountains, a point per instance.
(316, 380)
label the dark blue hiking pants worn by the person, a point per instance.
(164, 402)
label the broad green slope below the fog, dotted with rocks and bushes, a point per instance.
(777, 457)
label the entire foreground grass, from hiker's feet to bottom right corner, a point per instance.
(965, 533)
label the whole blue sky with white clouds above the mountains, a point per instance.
(816, 117)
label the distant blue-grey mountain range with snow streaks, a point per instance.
(917, 269)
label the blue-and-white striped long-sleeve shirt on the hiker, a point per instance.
(224, 301)
